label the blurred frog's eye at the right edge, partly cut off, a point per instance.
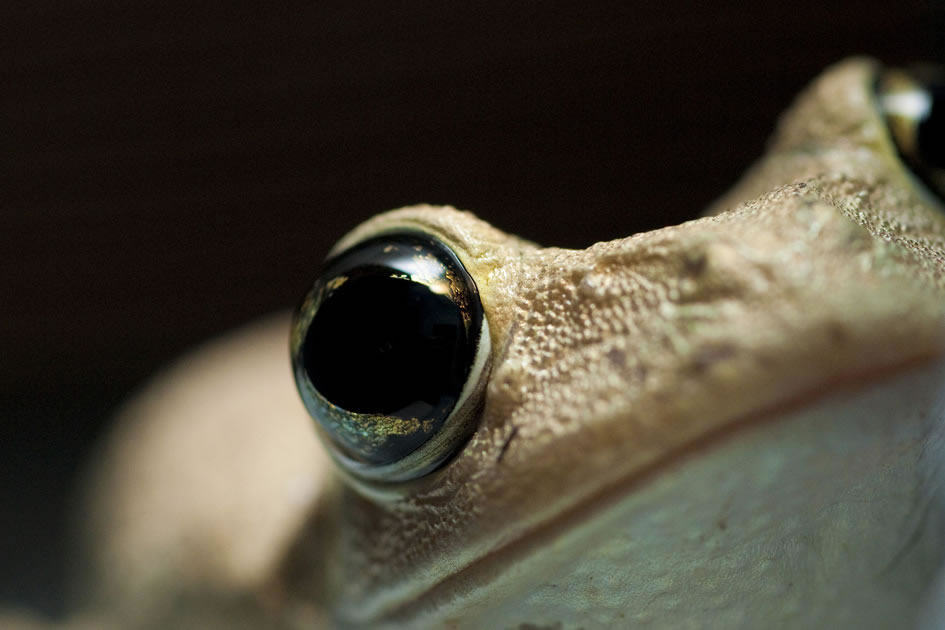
(914, 106)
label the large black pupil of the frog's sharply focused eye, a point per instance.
(381, 344)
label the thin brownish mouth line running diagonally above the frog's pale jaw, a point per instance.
(484, 569)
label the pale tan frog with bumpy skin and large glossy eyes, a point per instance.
(733, 422)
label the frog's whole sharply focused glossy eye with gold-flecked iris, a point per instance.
(390, 350)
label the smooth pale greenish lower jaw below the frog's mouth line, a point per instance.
(830, 514)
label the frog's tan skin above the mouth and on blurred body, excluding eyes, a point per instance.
(823, 267)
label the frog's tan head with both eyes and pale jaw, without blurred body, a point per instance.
(736, 417)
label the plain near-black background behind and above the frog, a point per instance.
(170, 171)
